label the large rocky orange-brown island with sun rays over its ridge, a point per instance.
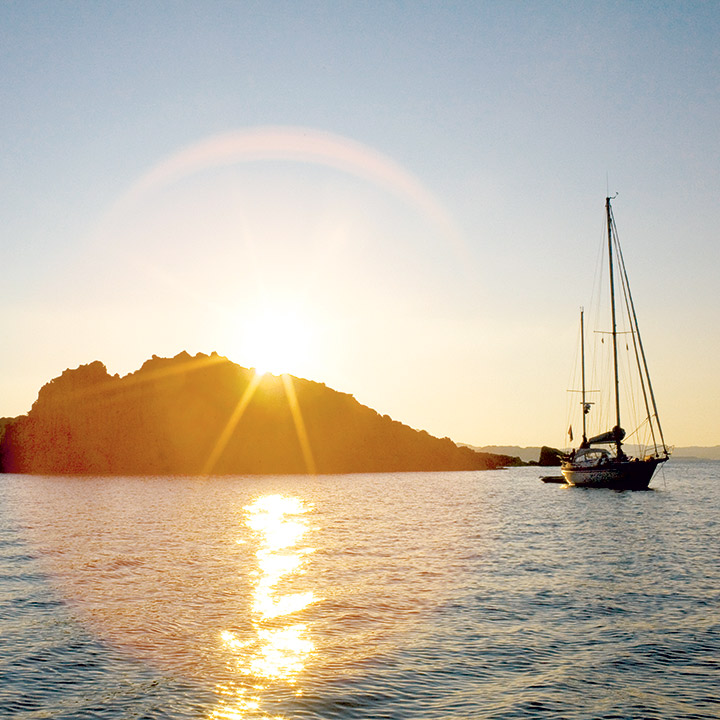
(205, 414)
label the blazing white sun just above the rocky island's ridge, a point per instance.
(278, 339)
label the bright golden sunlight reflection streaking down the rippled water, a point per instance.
(280, 646)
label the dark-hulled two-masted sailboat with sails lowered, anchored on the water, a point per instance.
(601, 461)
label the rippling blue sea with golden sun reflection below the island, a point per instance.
(427, 595)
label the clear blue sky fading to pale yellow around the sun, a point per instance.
(403, 200)
